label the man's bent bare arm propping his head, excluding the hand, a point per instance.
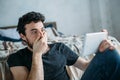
(22, 73)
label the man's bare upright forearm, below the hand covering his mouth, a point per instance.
(36, 72)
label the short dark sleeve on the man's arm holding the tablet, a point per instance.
(70, 55)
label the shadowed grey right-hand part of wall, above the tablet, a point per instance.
(105, 14)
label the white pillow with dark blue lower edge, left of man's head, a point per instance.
(9, 34)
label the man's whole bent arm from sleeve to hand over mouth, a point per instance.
(21, 73)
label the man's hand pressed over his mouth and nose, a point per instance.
(40, 44)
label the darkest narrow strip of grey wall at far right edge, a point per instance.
(115, 17)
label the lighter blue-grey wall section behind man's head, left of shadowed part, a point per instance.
(72, 17)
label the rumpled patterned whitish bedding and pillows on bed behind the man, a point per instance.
(73, 42)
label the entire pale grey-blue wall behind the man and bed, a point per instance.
(72, 17)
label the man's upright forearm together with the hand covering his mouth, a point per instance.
(39, 47)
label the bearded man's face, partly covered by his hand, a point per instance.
(33, 30)
